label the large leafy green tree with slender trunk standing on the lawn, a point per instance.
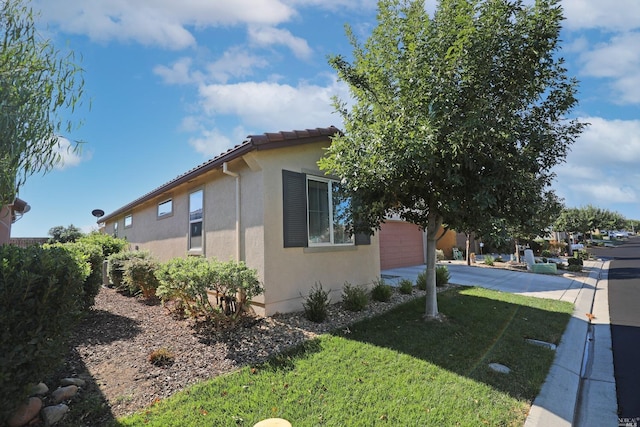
(454, 116)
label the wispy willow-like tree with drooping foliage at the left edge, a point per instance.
(39, 85)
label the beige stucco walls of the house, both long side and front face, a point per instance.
(287, 273)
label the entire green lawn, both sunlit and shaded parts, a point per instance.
(395, 369)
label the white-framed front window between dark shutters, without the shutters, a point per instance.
(328, 211)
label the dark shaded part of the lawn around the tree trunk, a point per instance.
(481, 327)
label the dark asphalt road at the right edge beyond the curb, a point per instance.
(624, 312)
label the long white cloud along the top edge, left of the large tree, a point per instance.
(163, 23)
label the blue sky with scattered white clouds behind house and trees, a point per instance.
(172, 84)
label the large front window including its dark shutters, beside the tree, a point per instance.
(315, 213)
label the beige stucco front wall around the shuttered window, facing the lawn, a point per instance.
(290, 272)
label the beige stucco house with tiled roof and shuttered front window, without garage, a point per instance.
(264, 202)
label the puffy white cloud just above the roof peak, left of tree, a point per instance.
(273, 106)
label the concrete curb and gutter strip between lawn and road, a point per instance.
(578, 386)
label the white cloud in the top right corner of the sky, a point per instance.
(618, 15)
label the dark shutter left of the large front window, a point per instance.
(294, 209)
